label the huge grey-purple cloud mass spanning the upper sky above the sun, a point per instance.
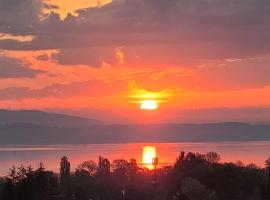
(153, 33)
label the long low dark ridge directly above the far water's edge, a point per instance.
(37, 134)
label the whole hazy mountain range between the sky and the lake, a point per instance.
(36, 127)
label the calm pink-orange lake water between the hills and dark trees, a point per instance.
(248, 152)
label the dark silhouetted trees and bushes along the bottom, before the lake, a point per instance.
(192, 177)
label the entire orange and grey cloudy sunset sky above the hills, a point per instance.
(200, 60)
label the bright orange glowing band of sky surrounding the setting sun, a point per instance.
(121, 87)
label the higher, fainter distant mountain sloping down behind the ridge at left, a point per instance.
(43, 118)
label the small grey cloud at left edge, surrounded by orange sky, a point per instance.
(15, 68)
